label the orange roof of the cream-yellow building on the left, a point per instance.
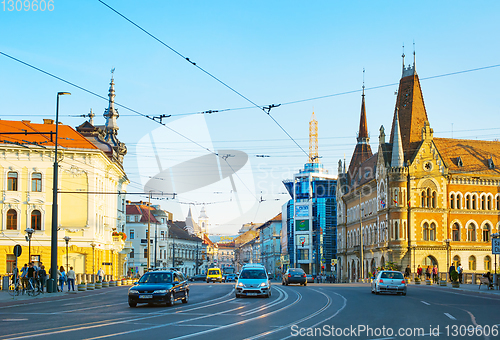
(68, 138)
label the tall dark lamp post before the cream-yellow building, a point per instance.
(55, 184)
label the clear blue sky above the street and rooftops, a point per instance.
(270, 51)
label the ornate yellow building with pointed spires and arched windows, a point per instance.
(419, 200)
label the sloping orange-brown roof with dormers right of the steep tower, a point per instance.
(475, 155)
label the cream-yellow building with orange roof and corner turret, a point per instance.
(91, 202)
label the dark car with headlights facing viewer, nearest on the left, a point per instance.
(161, 286)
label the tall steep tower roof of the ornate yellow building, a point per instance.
(412, 114)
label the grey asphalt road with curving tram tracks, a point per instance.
(316, 311)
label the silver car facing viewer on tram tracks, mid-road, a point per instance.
(253, 281)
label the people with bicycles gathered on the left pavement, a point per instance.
(38, 275)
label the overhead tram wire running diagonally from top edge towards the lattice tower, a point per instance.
(265, 109)
